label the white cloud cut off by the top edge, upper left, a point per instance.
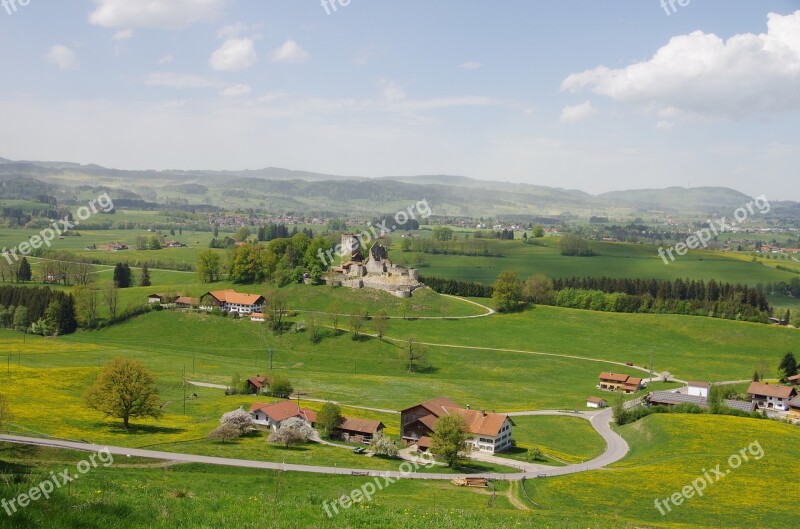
(160, 14)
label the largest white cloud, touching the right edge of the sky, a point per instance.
(701, 74)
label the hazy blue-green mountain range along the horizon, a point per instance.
(285, 190)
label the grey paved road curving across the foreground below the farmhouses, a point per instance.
(616, 449)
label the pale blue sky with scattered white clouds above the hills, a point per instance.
(597, 96)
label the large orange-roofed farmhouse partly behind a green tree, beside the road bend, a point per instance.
(487, 432)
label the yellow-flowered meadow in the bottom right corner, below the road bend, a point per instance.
(668, 453)
